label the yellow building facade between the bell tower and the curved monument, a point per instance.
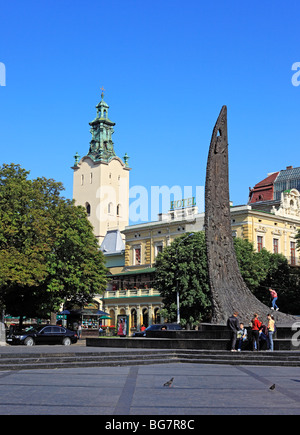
(131, 292)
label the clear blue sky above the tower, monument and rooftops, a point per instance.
(167, 67)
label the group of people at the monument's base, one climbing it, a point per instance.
(259, 331)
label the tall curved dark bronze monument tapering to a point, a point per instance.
(228, 289)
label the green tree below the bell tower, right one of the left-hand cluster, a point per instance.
(75, 265)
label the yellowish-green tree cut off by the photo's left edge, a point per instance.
(23, 230)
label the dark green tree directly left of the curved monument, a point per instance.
(186, 262)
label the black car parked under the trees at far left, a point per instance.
(49, 334)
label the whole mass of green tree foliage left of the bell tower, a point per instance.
(48, 252)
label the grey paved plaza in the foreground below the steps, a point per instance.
(197, 389)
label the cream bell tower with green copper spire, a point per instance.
(101, 179)
